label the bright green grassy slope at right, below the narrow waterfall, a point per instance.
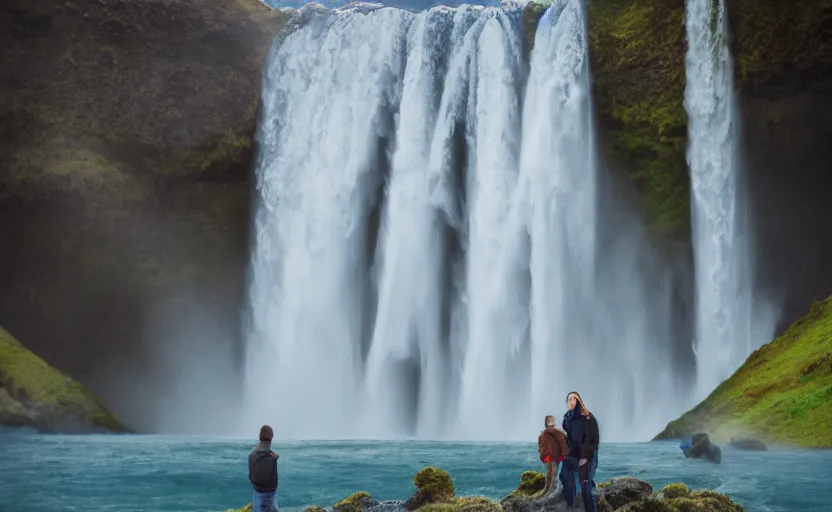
(781, 394)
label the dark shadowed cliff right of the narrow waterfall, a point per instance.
(784, 77)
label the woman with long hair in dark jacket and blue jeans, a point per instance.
(582, 438)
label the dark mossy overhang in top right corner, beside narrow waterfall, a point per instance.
(776, 39)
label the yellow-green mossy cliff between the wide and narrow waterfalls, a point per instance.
(638, 56)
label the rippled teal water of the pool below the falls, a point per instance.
(52, 473)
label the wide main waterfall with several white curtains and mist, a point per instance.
(430, 257)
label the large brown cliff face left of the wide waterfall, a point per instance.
(125, 162)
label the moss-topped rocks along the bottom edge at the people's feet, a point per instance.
(435, 493)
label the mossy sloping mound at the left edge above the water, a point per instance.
(34, 394)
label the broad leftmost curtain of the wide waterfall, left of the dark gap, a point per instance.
(328, 89)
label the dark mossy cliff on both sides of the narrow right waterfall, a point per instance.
(783, 75)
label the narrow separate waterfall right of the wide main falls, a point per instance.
(724, 330)
